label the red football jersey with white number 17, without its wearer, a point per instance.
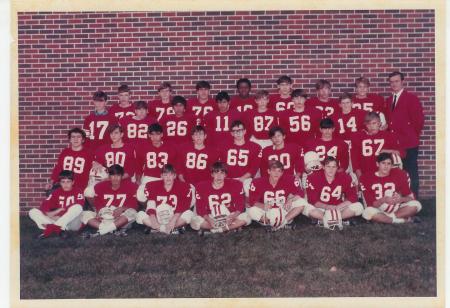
(96, 129)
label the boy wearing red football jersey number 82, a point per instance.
(135, 127)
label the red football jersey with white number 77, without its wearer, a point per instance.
(125, 196)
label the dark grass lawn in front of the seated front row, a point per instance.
(371, 260)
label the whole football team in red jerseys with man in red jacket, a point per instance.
(219, 164)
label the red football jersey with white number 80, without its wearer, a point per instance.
(124, 156)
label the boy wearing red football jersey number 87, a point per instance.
(259, 121)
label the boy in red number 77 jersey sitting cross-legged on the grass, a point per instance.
(115, 204)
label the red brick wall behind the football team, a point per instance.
(65, 57)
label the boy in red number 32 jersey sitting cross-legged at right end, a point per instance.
(387, 194)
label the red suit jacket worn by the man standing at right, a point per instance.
(406, 119)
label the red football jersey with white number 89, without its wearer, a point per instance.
(80, 162)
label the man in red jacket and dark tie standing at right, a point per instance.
(406, 118)
